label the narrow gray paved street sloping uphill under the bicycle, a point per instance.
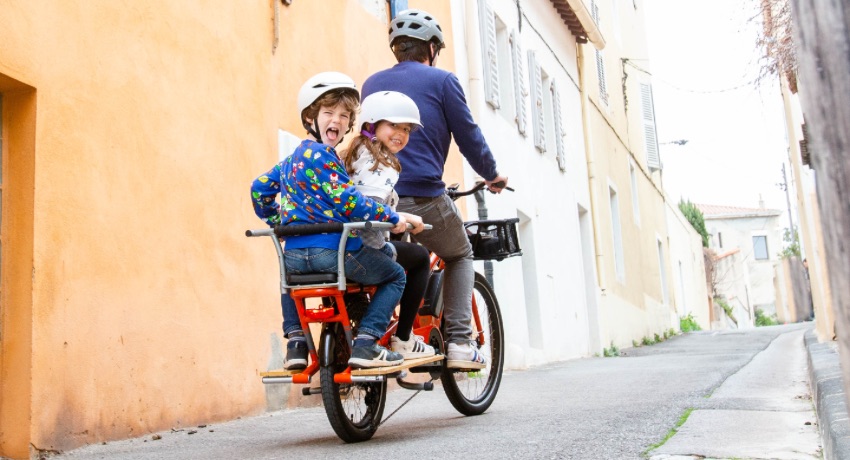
(745, 393)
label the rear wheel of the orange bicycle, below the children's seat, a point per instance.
(354, 410)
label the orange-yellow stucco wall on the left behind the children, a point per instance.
(143, 306)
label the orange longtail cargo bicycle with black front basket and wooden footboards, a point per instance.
(354, 399)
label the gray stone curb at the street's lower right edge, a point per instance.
(828, 397)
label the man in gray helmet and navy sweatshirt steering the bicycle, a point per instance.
(416, 40)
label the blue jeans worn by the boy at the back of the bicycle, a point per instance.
(365, 266)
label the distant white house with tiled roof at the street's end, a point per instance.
(747, 273)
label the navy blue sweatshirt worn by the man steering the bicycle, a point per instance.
(444, 113)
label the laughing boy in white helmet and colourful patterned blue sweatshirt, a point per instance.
(315, 188)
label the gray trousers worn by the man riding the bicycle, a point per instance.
(449, 241)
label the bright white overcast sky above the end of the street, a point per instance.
(703, 60)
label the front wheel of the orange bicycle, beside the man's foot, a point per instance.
(472, 393)
